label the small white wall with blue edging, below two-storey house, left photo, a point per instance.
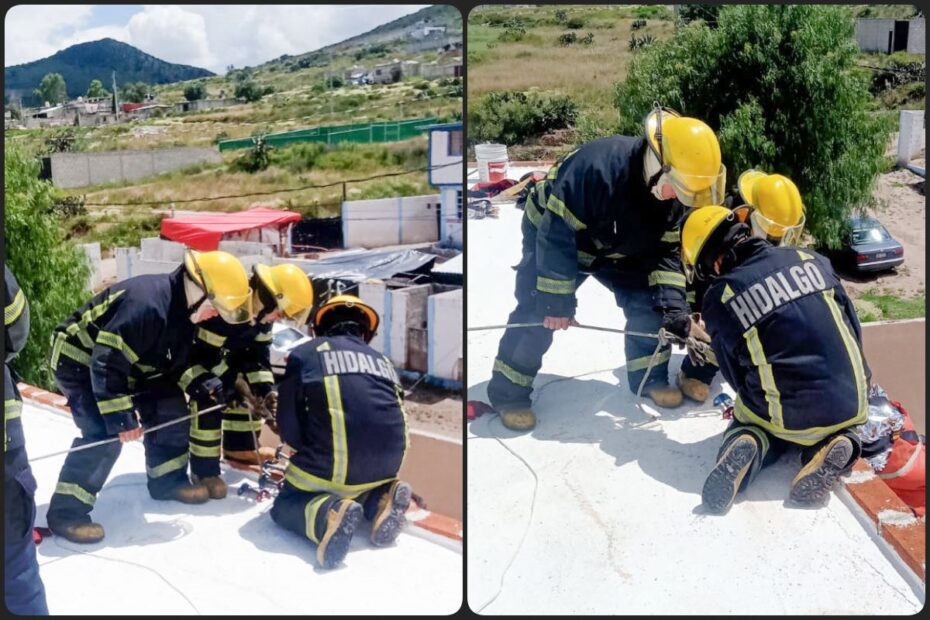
(445, 335)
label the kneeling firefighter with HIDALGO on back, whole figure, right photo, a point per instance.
(787, 339)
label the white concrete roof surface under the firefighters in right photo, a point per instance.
(610, 511)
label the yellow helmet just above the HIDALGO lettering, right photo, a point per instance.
(777, 212)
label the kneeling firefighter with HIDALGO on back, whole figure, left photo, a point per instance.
(342, 411)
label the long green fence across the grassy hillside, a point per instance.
(358, 133)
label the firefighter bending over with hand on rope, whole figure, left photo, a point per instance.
(127, 350)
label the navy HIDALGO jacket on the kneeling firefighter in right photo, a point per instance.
(787, 339)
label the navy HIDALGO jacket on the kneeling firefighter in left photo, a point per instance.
(341, 408)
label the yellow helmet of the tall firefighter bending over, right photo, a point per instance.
(689, 153)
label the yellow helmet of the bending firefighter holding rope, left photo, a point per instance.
(224, 282)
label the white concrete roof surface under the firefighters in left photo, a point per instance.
(223, 557)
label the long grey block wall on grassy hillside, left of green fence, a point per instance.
(82, 169)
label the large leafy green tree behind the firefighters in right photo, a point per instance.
(779, 85)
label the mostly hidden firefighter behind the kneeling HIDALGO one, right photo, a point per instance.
(771, 204)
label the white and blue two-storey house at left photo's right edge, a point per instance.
(446, 154)
